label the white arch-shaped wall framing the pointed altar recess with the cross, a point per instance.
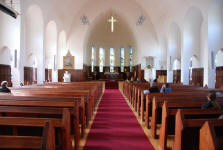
(146, 40)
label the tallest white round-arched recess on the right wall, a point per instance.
(191, 40)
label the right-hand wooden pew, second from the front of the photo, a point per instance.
(187, 130)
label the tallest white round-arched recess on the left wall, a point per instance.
(34, 36)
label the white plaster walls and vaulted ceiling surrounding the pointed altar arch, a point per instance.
(199, 26)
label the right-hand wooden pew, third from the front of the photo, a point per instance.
(169, 111)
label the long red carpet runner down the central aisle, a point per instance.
(115, 127)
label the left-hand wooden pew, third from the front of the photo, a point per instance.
(44, 108)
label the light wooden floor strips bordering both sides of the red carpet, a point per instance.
(154, 142)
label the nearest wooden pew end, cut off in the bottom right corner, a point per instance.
(209, 136)
